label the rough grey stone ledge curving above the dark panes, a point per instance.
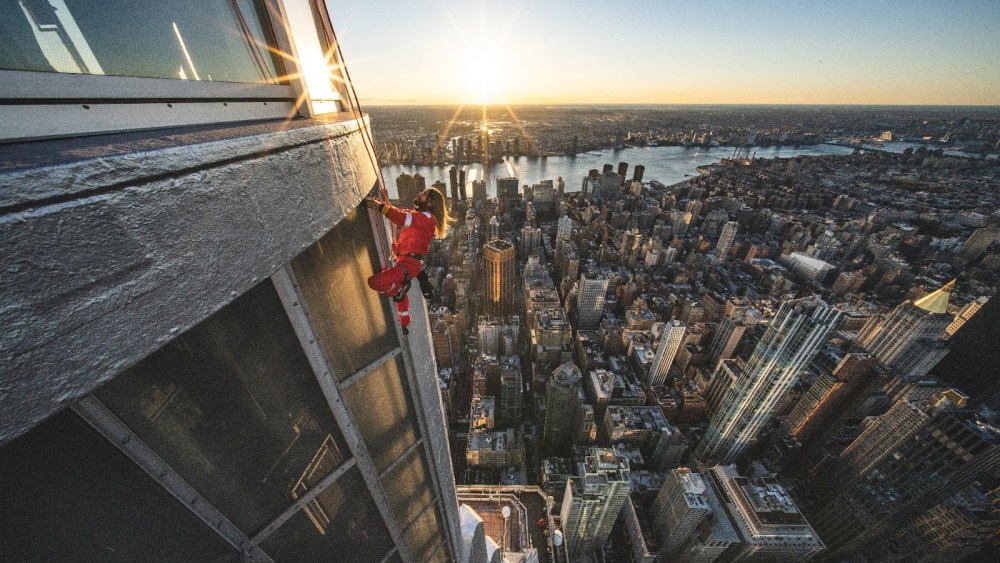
(113, 256)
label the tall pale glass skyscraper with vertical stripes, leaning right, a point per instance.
(793, 337)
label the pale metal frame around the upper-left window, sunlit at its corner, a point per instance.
(42, 105)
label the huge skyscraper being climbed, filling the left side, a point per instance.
(208, 377)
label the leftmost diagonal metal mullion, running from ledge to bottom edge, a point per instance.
(92, 411)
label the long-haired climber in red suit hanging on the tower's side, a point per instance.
(418, 226)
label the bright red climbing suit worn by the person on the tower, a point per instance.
(413, 243)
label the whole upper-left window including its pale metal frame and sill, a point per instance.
(73, 67)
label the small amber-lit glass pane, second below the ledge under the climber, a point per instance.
(384, 413)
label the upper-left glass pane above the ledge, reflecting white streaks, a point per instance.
(212, 40)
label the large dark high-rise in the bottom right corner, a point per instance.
(918, 454)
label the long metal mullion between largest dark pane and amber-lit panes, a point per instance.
(291, 299)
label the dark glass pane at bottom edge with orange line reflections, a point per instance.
(341, 524)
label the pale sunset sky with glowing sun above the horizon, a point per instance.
(666, 51)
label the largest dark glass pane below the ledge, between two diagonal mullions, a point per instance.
(233, 406)
